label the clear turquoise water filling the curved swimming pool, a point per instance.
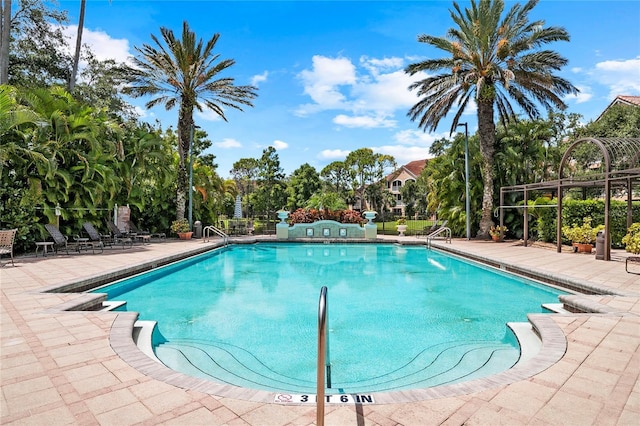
(399, 316)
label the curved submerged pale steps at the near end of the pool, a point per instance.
(441, 364)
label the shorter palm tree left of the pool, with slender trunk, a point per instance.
(186, 73)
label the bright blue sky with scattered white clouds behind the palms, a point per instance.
(330, 74)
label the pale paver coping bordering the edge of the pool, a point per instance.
(553, 341)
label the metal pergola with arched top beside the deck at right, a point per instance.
(608, 163)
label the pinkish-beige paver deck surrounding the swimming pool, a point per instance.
(62, 368)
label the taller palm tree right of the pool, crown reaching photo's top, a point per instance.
(493, 62)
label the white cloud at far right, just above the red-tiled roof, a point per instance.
(621, 76)
